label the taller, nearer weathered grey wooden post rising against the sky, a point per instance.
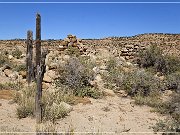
(38, 70)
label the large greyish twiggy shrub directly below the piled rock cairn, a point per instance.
(76, 77)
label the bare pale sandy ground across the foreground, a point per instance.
(110, 115)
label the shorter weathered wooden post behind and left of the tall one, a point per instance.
(29, 56)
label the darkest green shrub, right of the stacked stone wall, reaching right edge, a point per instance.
(154, 57)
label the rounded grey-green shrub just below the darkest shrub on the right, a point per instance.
(141, 82)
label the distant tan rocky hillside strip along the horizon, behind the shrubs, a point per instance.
(117, 46)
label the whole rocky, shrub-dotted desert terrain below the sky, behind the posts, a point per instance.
(95, 80)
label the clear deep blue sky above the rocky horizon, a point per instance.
(89, 20)
